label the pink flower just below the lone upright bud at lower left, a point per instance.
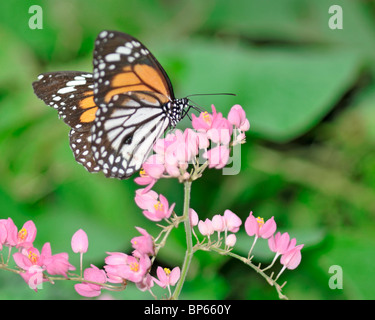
(87, 289)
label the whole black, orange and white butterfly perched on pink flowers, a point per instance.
(117, 112)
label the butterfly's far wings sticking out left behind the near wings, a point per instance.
(71, 93)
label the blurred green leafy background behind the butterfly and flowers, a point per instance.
(308, 91)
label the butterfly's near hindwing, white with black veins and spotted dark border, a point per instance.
(125, 131)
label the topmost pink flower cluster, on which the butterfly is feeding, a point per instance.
(210, 140)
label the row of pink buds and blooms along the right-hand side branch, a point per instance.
(279, 243)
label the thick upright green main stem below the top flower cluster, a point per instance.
(189, 241)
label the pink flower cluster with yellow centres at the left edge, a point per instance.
(32, 262)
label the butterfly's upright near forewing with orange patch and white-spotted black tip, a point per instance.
(123, 64)
